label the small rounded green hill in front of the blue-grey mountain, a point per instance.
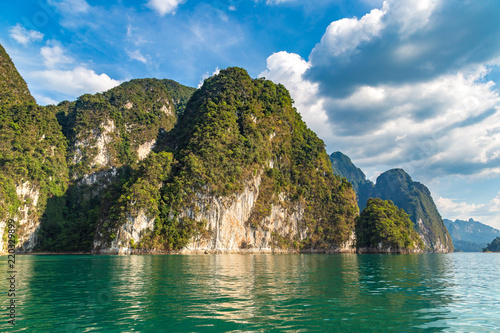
(382, 225)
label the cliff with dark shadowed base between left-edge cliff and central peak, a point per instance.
(105, 132)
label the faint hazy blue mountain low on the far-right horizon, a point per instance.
(470, 236)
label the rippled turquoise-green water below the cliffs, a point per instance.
(255, 293)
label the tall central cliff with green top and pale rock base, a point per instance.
(246, 174)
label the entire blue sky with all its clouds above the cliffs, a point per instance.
(408, 84)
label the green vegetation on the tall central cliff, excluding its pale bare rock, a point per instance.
(235, 128)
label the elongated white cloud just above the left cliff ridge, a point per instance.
(74, 83)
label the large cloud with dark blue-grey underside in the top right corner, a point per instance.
(405, 41)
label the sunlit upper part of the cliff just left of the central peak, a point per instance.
(122, 119)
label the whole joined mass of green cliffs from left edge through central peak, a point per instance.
(139, 169)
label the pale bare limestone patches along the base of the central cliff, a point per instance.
(228, 229)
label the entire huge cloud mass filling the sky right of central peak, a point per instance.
(404, 86)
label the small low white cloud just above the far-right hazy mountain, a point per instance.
(488, 213)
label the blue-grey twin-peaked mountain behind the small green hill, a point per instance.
(413, 197)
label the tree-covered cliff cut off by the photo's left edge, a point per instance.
(32, 158)
